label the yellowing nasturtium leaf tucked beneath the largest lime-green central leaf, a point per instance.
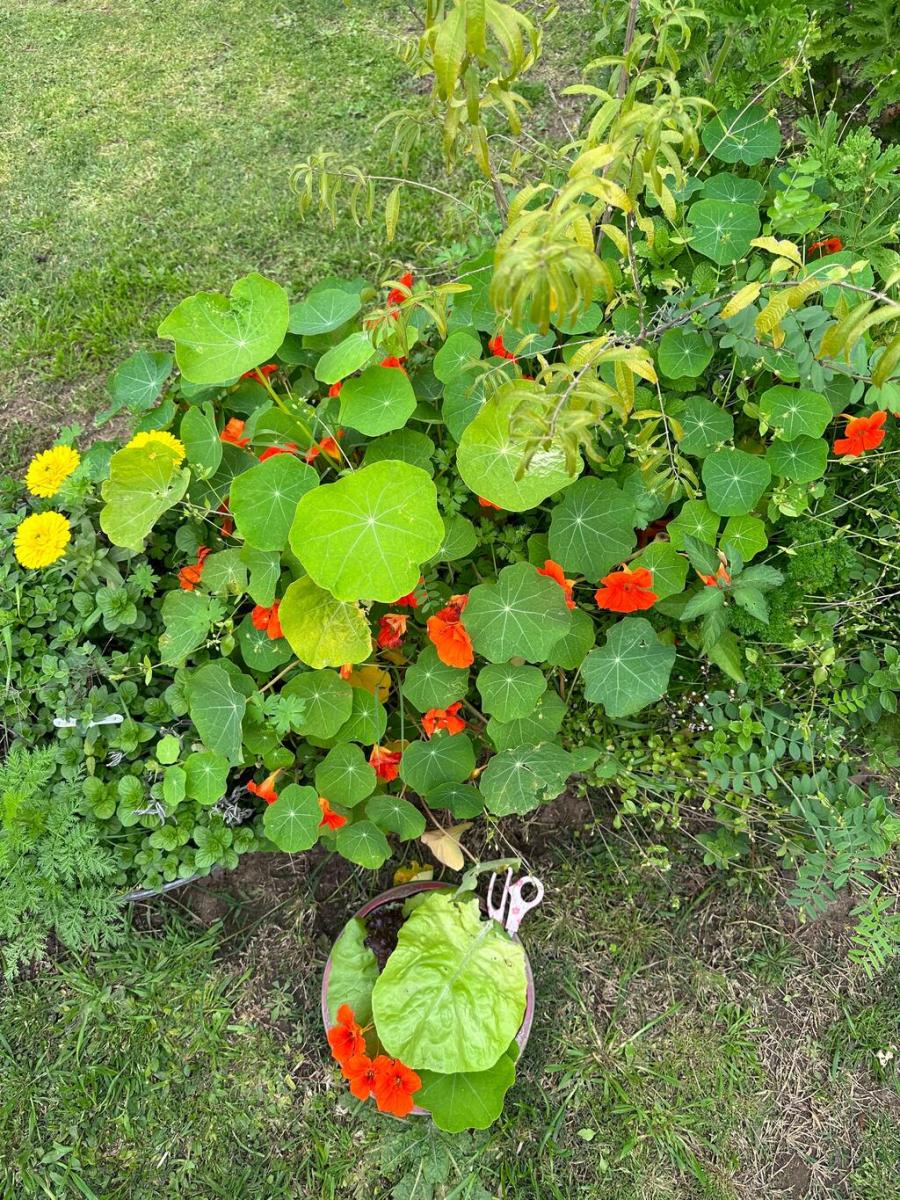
(321, 631)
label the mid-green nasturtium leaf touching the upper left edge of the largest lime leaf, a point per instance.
(265, 500)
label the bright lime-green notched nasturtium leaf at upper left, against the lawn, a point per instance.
(218, 339)
